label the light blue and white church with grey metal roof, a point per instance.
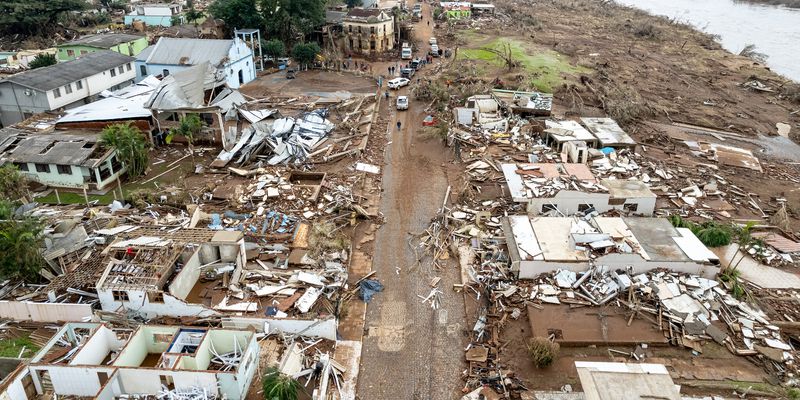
(231, 57)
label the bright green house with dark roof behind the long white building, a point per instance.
(130, 45)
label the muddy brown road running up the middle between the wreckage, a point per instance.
(411, 351)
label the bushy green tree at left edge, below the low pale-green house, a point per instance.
(21, 242)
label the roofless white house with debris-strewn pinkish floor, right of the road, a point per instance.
(565, 189)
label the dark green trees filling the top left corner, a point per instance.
(34, 17)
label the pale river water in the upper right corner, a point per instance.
(774, 30)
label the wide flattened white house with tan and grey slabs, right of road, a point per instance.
(539, 245)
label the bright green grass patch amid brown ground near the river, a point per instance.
(546, 67)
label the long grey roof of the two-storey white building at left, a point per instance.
(48, 78)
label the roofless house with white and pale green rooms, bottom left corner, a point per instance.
(92, 360)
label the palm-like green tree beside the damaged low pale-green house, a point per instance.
(132, 148)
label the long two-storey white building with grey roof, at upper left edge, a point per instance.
(63, 85)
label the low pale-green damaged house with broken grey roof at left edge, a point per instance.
(63, 159)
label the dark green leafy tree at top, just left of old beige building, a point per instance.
(292, 19)
